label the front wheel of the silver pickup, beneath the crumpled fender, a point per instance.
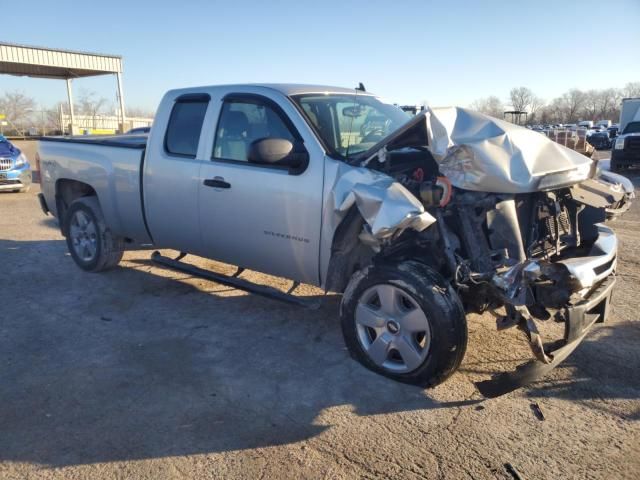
(405, 322)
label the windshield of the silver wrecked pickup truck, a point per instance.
(350, 124)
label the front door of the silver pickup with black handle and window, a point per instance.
(257, 216)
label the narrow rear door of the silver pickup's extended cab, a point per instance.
(172, 174)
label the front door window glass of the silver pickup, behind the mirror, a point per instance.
(241, 123)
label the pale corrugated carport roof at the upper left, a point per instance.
(44, 62)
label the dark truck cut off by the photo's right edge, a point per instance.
(626, 148)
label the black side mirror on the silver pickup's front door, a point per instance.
(279, 152)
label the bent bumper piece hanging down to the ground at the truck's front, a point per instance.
(579, 318)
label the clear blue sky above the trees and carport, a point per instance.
(446, 52)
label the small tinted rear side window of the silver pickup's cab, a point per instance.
(183, 131)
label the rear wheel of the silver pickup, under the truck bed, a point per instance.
(92, 245)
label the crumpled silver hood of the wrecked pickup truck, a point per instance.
(482, 153)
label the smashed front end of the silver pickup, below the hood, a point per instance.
(541, 257)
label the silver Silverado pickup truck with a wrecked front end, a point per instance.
(415, 220)
